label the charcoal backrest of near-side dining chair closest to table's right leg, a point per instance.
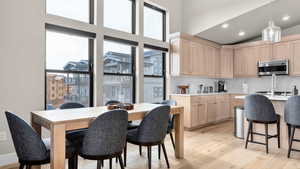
(153, 127)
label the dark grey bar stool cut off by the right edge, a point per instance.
(292, 119)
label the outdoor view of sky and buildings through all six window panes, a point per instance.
(68, 78)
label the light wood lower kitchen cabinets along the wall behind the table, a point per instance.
(202, 110)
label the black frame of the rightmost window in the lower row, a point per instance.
(164, 72)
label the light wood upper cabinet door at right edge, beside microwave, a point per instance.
(295, 53)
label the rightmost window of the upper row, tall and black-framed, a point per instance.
(154, 22)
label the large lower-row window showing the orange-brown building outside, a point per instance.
(68, 68)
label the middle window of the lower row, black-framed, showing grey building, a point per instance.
(119, 73)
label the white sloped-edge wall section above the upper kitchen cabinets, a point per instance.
(199, 15)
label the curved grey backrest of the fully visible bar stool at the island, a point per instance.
(259, 108)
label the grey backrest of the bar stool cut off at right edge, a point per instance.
(292, 111)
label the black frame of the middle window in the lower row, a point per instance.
(133, 46)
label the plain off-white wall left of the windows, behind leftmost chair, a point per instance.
(21, 61)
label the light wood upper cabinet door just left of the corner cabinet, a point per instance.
(210, 56)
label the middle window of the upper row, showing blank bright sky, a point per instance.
(120, 15)
